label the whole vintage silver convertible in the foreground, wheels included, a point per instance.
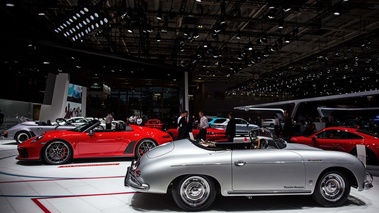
(195, 172)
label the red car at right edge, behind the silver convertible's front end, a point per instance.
(343, 139)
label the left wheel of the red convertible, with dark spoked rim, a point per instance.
(57, 152)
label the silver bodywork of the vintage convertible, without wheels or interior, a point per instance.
(293, 170)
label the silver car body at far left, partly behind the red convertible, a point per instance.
(29, 129)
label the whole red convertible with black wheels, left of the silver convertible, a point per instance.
(91, 141)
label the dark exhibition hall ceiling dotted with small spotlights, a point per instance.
(325, 54)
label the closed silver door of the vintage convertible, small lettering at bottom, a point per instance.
(268, 170)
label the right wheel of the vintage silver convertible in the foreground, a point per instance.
(332, 189)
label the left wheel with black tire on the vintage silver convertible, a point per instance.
(194, 193)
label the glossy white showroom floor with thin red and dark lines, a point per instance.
(97, 187)
